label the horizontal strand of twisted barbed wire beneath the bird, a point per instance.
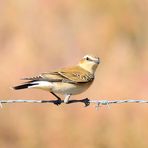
(86, 101)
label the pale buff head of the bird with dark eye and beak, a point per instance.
(89, 63)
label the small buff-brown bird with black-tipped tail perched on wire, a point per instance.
(65, 81)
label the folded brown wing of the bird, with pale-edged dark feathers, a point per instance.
(69, 75)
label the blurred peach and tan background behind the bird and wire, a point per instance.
(41, 35)
